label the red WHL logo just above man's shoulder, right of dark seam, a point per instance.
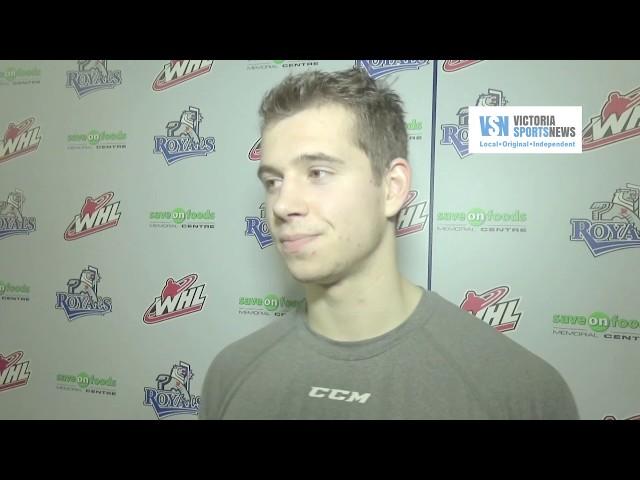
(488, 307)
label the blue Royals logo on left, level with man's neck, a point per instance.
(81, 298)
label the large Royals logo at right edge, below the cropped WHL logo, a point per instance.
(614, 225)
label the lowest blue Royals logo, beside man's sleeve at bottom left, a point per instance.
(173, 393)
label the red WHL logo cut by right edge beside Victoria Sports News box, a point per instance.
(618, 120)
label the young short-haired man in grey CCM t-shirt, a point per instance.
(369, 344)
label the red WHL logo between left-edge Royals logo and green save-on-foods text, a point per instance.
(97, 214)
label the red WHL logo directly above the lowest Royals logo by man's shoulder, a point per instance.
(177, 299)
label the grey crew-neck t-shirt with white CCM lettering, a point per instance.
(441, 363)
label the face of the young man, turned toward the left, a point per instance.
(324, 209)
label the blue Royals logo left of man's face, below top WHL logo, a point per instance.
(183, 138)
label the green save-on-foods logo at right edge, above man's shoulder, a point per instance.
(598, 324)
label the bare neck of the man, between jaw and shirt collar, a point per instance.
(361, 307)
